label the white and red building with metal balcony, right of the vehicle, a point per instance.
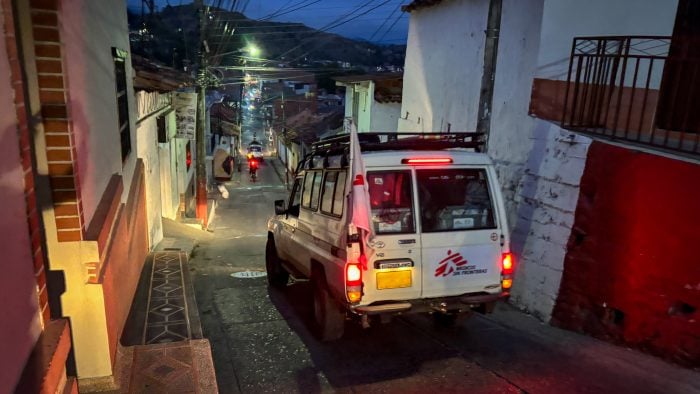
(581, 135)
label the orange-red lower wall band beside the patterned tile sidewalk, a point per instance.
(125, 258)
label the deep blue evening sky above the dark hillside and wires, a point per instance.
(318, 13)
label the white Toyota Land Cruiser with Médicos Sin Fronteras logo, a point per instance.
(441, 241)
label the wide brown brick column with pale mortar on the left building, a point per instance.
(60, 139)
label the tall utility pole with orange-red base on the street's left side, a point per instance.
(201, 166)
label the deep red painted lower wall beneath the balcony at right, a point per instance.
(632, 270)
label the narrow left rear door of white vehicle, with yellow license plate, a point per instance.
(394, 268)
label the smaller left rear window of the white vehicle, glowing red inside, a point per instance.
(391, 202)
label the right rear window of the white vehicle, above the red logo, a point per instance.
(454, 200)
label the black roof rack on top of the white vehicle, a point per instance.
(322, 150)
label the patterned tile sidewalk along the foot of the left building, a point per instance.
(164, 350)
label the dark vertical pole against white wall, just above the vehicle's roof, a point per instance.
(493, 27)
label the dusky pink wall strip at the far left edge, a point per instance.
(21, 325)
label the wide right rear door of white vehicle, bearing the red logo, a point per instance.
(459, 233)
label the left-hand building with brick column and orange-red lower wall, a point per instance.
(82, 181)
